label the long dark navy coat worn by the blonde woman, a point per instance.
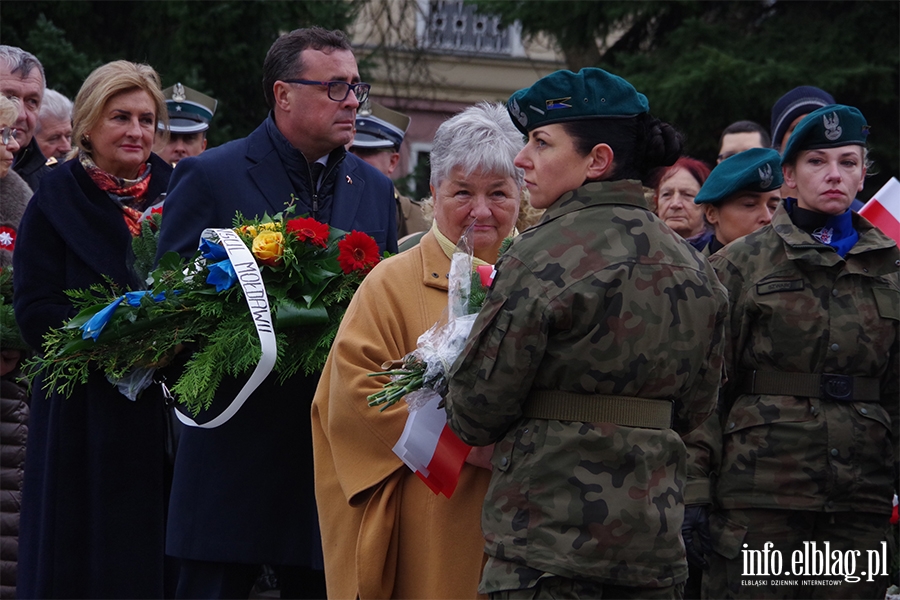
(95, 491)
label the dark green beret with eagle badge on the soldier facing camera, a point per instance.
(831, 126)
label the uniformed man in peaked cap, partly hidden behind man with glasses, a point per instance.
(379, 133)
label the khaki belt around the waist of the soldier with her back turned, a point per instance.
(626, 411)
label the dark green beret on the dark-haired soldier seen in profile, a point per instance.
(566, 96)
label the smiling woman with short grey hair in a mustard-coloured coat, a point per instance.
(384, 533)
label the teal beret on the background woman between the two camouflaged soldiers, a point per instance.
(753, 170)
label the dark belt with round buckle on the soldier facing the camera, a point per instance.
(827, 386)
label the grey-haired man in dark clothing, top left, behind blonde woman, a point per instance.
(22, 77)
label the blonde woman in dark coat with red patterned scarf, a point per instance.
(94, 504)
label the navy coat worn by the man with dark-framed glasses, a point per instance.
(243, 492)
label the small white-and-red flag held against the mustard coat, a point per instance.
(431, 449)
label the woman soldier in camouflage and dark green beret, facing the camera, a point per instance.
(810, 407)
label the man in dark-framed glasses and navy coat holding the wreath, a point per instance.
(242, 494)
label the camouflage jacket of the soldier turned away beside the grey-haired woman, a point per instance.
(600, 297)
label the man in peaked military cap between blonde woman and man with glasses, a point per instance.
(189, 116)
